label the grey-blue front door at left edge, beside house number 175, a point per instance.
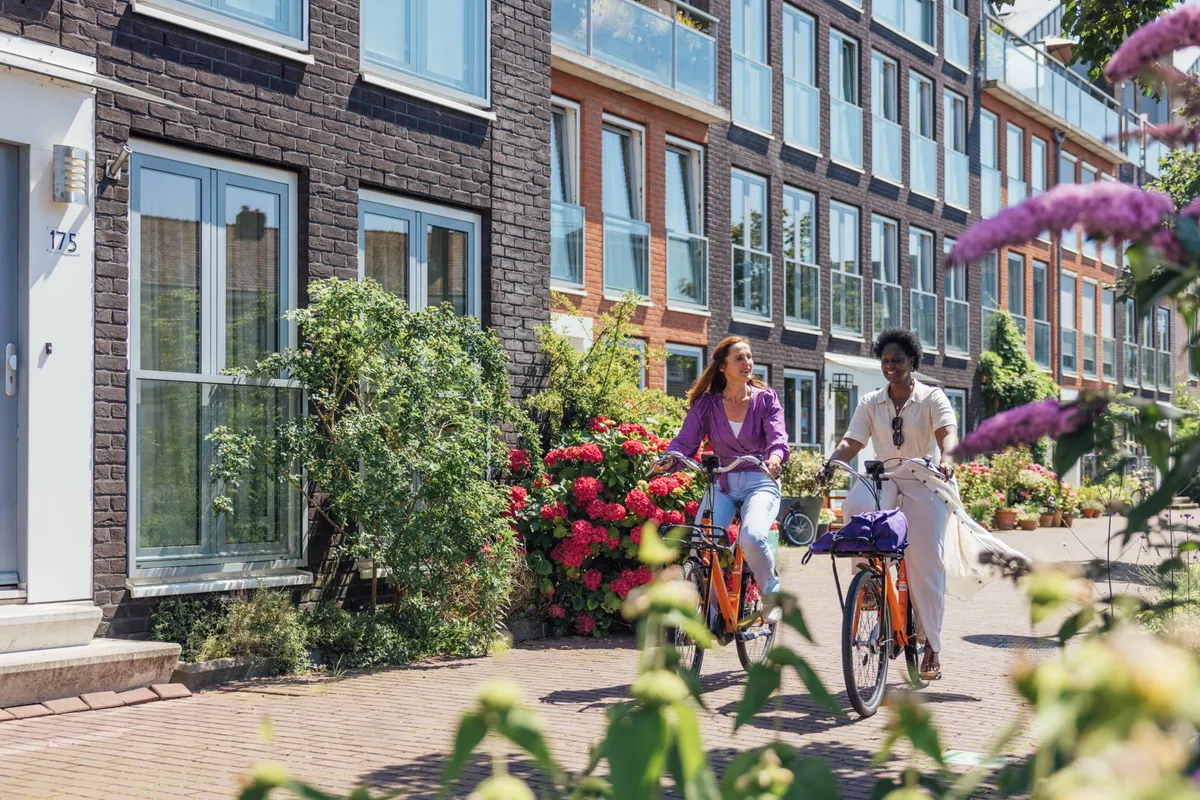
(10, 256)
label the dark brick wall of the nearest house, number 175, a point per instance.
(339, 136)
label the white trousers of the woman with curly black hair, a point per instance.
(928, 516)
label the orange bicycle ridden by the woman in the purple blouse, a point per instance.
(729, 597)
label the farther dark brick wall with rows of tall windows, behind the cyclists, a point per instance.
(736, 148)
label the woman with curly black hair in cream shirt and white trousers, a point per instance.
(909, 420)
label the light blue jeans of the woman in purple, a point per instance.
(760, 500)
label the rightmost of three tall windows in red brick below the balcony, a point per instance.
(687, 246)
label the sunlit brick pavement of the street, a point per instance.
(392, 729)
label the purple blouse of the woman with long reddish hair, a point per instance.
(764, 432)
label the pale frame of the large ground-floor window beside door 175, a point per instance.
(213, 272)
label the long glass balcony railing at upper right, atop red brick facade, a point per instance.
(1035, 74)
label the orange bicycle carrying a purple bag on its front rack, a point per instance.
(879, 622)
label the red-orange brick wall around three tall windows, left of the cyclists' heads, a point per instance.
(659, 326)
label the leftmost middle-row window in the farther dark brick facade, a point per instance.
(748, 231)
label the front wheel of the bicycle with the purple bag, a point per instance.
(866, 642)
